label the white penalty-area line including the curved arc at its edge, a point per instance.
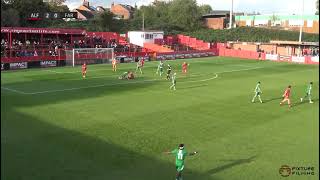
(113, 84)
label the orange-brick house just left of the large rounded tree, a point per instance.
(122, 11)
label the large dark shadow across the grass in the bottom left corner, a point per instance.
(41, 150)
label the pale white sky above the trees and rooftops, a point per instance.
(262, 6)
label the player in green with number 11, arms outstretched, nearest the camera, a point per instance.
(180, 154)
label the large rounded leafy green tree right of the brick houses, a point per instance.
(170, 16)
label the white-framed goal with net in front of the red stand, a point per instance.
(89, 56)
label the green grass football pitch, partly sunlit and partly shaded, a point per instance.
(57, 126)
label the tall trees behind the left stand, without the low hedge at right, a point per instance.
(175, 15)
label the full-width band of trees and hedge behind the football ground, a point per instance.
(172, 17)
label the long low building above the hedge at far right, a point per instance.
(285, 22)
